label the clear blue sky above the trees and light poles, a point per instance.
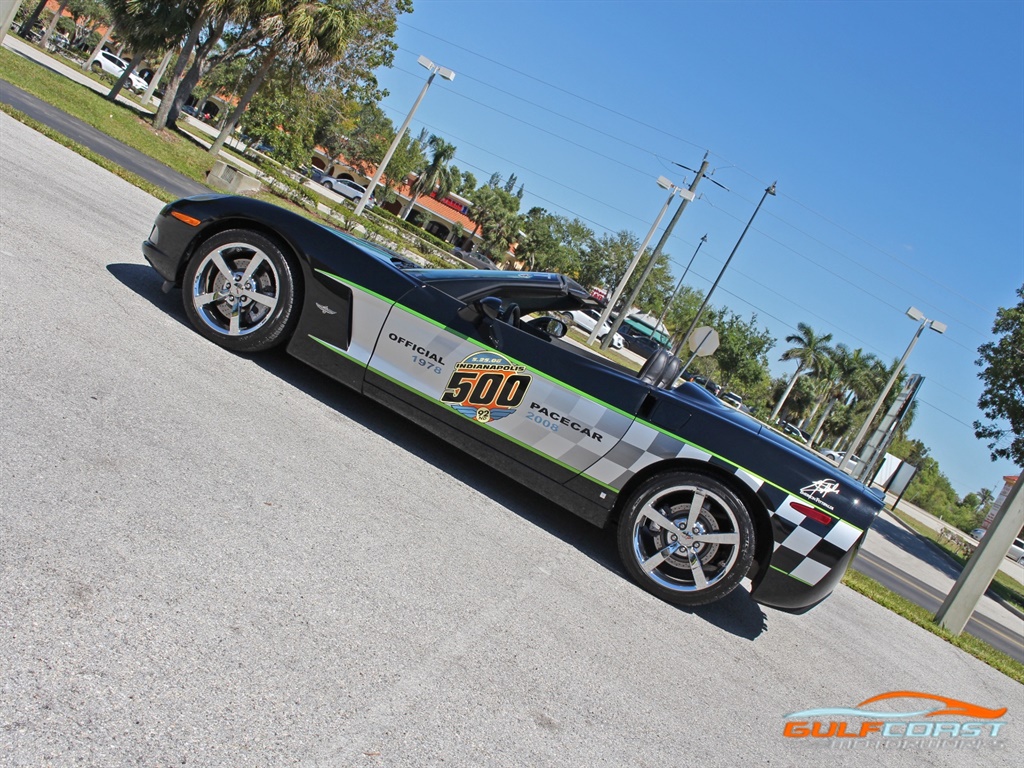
(895, 132)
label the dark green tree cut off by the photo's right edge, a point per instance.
(1003, 400)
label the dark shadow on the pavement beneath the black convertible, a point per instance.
(738, 614)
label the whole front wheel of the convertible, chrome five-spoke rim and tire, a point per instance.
(240, 290)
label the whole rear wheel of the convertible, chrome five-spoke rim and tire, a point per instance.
(682, 559)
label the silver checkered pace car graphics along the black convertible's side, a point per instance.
(413, 353)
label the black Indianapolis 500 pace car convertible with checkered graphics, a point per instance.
(702, 496)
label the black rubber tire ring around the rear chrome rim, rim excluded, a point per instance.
(657, 486)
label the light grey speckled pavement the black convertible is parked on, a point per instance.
(220, 561)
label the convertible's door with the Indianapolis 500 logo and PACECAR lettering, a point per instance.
(532, 400)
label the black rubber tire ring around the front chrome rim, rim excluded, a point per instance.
(282, 322)
